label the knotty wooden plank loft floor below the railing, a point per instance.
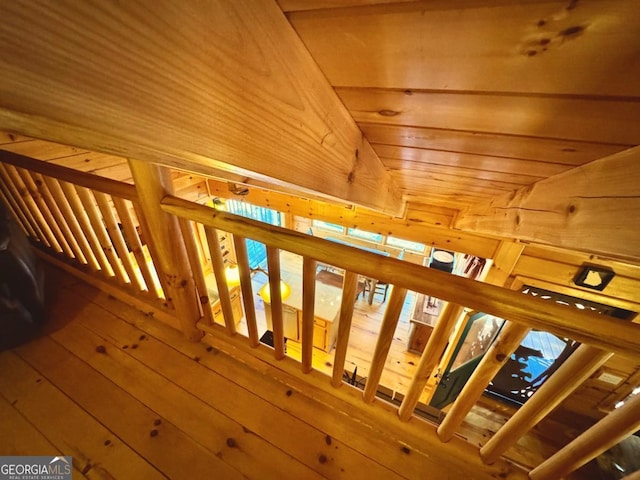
(128, 398)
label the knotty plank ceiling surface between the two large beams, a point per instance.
(464, 101)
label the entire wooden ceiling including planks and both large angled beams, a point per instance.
(468, 105)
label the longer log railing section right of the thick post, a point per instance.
(600, 335)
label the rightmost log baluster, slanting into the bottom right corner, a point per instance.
(609, 431)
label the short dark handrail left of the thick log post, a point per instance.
(88, 180)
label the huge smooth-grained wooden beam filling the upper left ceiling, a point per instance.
(227, 85)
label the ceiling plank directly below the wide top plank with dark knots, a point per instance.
(549, 117)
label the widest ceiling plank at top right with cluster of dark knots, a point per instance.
(478, 46)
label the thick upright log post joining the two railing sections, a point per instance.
(153, 183)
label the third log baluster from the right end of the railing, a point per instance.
(497, 355)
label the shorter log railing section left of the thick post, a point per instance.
(89, 223)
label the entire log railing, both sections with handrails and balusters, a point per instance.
(98, 226)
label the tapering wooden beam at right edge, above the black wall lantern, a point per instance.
(579, 209)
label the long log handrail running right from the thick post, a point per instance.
(587, 327)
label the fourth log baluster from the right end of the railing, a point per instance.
(429, 359)
